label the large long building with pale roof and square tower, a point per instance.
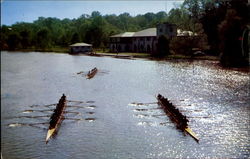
(141, 41)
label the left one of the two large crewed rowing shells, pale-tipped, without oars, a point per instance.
(52, 129)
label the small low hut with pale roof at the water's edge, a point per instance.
(80, 48)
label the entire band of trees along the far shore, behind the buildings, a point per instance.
(220, 23)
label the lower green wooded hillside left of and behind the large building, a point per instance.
(45, 33)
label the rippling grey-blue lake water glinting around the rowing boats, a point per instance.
(215, 100)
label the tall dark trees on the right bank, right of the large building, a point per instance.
(223, 25)
